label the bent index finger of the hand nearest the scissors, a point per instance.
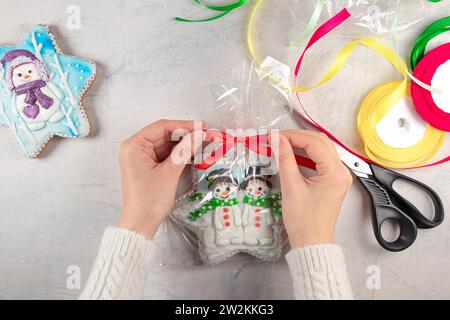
(317, 147)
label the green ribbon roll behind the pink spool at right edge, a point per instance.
(433, 30)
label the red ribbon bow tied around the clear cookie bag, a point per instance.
(257, 143)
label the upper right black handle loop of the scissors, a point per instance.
(387, 178)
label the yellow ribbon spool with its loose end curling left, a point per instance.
(378, 104)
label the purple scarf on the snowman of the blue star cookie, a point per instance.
(34, 94)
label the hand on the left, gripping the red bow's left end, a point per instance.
(151, 165)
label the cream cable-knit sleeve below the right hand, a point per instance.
(319, 272)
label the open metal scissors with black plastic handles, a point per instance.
(387, 204)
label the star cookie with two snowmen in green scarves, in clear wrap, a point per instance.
(233, 208)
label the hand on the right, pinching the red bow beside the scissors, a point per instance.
(311, 205)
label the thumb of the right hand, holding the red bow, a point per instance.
(287, 165)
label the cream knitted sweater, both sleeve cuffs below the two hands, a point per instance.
(124, 261)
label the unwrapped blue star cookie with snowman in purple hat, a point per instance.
(41, 90)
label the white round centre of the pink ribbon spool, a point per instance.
(441, 80)
